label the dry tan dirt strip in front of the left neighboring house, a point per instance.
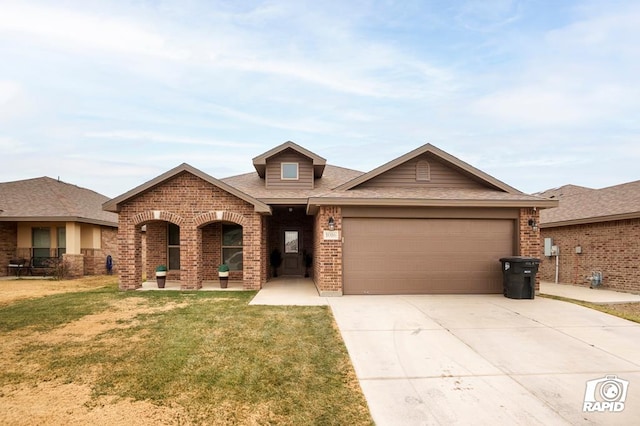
(27, 288)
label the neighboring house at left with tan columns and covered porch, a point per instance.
(44, 218)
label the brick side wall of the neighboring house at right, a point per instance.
(612, 248)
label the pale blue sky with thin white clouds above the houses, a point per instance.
(109, 94)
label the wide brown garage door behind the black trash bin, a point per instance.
(425, 256)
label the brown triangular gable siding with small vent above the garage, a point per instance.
(424, 170)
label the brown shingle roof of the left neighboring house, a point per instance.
(47, 199)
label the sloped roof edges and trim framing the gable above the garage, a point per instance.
(448, 159)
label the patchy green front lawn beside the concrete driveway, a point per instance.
(216, 357)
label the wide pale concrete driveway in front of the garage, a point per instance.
(487, 359)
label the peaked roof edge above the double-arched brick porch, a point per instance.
(114, 205)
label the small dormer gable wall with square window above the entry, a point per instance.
(274, 178)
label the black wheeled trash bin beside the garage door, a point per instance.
(519, 276)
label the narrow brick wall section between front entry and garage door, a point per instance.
(327, 265)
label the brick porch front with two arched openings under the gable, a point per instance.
(191, 203)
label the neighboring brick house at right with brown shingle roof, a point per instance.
(596, 230)
